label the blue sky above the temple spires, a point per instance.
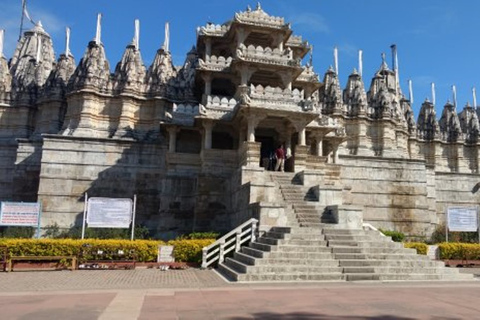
(438, 40)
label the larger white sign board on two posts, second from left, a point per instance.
(109, 212)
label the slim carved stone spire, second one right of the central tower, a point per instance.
(355, 96)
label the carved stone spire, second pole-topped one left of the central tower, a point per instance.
(130, 71)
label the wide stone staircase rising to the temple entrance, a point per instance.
(314, 249)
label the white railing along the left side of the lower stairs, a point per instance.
(233, 240)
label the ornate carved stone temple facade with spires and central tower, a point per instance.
(190, 141)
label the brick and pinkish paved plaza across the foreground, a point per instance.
(201, 294)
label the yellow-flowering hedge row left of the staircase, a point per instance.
(145, 250)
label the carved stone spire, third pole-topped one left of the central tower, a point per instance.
(93, 71)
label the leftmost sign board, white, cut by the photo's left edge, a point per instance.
(19, 213)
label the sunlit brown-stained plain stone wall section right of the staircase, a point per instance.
(393, 192)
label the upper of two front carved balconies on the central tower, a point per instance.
(267, 55)
